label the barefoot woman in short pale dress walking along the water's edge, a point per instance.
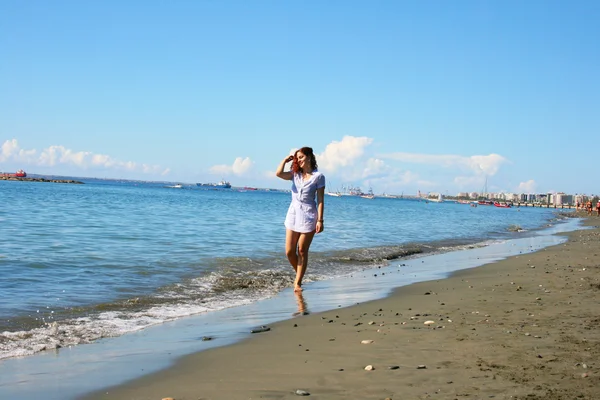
(305, 216)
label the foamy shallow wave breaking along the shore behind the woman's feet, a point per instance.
(232, 282)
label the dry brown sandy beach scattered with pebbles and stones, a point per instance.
(523, 328)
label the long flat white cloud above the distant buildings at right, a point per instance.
(481, 165)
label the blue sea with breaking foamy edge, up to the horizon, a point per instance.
(83, 262)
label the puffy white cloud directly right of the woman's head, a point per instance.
(343, 153)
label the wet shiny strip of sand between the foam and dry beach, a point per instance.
(76, 371)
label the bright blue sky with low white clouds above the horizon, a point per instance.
(435, 96)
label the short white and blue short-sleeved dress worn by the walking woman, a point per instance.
(302, 214)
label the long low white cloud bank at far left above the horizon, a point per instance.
(59, 155)
